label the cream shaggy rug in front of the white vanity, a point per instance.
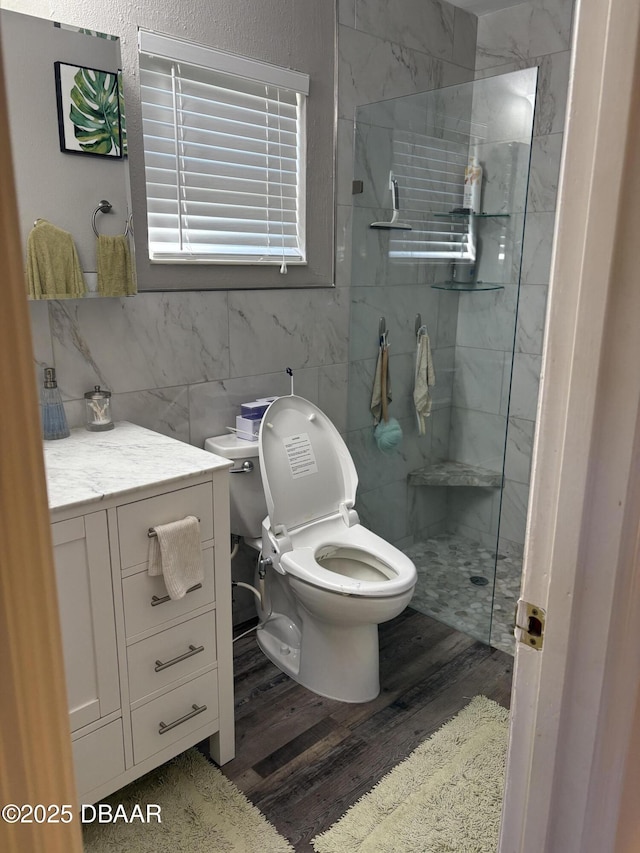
(201, 811)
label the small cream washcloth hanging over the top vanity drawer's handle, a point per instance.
(175, 553)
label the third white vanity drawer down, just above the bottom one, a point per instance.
(165, 657)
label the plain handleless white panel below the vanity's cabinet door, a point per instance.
(98, 757)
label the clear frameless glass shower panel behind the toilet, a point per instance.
(450, 267)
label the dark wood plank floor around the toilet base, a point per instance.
(303, 759)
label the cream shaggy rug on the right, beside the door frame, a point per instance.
(446, 797)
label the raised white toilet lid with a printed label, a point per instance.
(307, 470)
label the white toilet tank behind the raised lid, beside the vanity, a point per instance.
(247, 503)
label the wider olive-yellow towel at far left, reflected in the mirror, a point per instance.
(53, 268)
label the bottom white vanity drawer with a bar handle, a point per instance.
(181, 712)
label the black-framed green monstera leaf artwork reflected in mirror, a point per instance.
(89, 119)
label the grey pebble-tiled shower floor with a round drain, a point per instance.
(445, 564)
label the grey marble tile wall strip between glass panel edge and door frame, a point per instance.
(537, 33)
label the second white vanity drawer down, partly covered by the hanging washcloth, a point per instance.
(147, 604)
